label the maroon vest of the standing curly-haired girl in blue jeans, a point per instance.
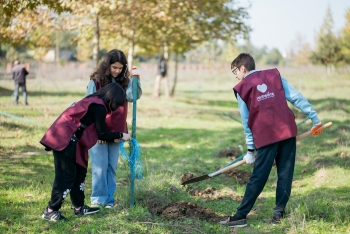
(116, 120)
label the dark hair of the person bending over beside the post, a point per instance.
(113, 96)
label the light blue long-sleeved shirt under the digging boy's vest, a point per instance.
(292, 95)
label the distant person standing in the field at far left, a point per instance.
(19, 74)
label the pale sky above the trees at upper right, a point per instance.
(275, 23)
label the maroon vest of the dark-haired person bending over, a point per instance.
(58, 135)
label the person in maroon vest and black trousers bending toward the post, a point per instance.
(70, 137)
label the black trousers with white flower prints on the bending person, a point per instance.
(69, 179)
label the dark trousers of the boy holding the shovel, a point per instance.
(283, 153)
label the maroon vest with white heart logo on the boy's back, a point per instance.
(270, 118)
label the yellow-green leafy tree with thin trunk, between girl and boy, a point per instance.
(184, 25)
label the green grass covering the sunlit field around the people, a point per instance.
(179, 135)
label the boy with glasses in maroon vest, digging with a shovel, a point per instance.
(270, 130)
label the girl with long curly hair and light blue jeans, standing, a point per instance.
(104, 155)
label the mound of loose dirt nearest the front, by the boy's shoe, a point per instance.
(179, 210)
